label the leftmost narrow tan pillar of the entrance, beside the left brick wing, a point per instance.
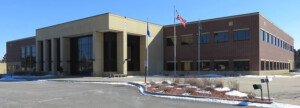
(38, 56)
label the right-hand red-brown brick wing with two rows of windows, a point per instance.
(242, 44)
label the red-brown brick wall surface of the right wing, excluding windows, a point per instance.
(249, 49)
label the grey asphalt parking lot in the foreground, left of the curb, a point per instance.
(37, 94)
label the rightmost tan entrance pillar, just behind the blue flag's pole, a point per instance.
(143, 54)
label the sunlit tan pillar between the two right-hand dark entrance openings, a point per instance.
(122, 52)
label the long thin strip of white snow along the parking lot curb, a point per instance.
(232, 102)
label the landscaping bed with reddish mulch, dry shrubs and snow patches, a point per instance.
(202, 88)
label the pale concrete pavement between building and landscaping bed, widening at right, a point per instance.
(284, 90)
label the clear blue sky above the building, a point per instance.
(20, 18)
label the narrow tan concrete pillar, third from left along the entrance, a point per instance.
(54, 56)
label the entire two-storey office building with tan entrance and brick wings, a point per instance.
(109, 44)
